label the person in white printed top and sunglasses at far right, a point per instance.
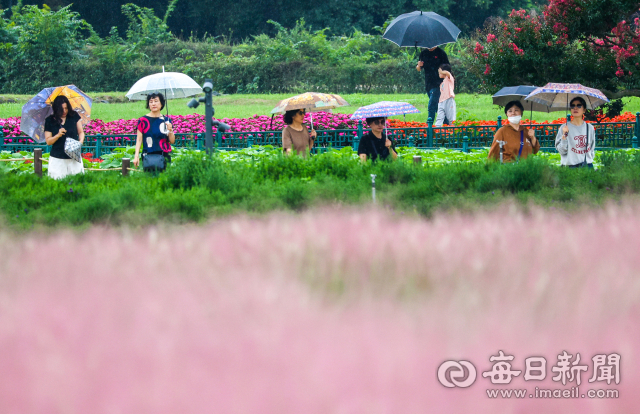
(576, 140)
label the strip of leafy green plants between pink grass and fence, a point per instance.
(261, 180)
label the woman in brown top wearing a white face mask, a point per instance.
(518, 141)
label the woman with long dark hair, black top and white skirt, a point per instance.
(62, 124)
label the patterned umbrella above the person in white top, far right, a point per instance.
(558, 95)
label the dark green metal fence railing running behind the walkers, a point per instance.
(608, 135)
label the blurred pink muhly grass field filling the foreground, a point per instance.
(330, 311)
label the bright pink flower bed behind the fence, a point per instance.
(186, 124)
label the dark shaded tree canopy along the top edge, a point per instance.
(243, 18)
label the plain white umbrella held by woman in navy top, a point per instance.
(173, 85)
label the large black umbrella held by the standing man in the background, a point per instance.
(421, 29)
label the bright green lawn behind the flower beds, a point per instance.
(470, 106)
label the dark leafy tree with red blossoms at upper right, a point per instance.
(593, 42)
